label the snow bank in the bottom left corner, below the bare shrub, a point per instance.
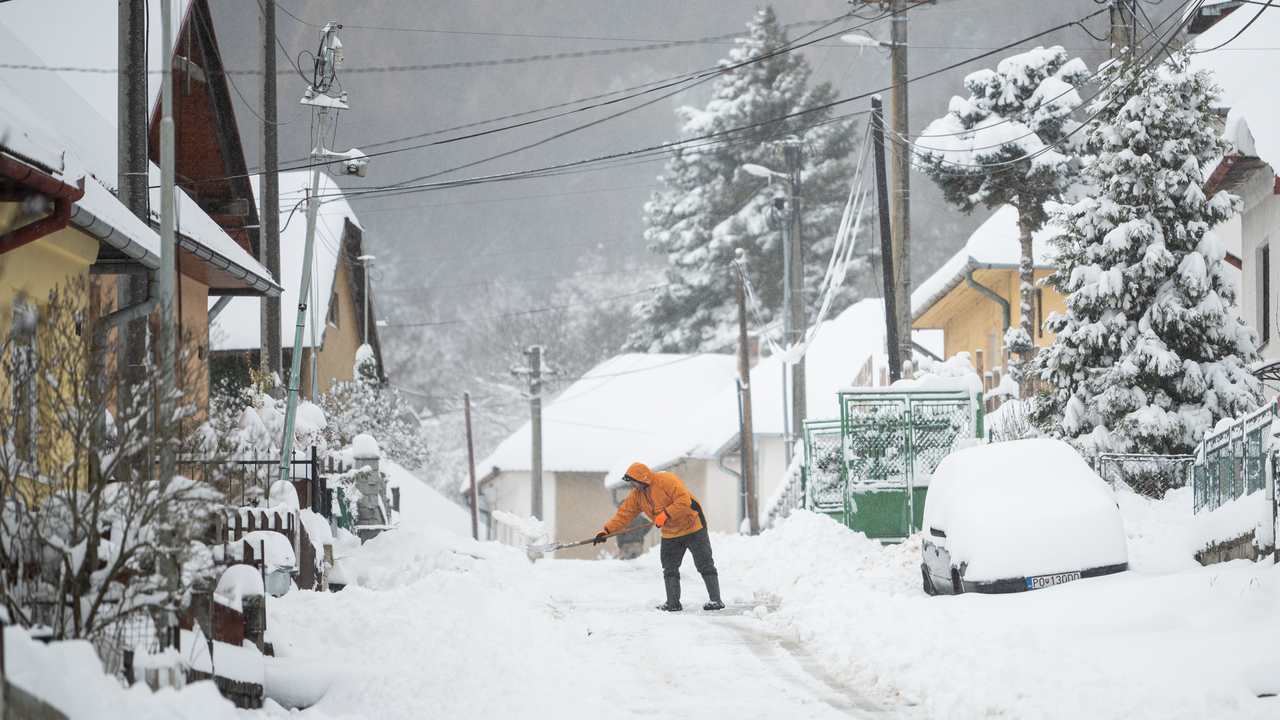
(70, 677)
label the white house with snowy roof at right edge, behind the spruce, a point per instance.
(1242, 53)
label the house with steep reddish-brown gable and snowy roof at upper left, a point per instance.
(216, 220)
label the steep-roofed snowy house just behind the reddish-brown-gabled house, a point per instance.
(339, 320)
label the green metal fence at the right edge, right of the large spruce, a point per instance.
(1232, 463)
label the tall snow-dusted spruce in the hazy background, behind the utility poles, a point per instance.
(711, 207)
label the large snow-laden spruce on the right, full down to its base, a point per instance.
(1146, 357)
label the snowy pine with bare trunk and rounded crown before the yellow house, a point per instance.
(1005, 147)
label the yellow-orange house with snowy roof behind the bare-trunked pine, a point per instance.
(975, 297)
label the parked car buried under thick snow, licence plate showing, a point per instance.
(1018, 517)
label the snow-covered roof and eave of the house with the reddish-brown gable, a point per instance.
(77, 112)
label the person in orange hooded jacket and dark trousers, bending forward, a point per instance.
(665, 498)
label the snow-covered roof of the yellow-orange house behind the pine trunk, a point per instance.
(994, 245)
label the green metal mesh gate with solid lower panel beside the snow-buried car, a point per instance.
(893, 443)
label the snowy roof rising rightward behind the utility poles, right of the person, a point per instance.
(842, 349)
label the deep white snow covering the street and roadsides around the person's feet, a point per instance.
(821, 623)
